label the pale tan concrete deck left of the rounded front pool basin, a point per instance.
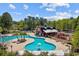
(20, 46)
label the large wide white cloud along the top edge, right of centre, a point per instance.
(53, 6)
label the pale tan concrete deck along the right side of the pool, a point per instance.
(59, 45)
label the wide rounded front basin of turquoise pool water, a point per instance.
(40, 45)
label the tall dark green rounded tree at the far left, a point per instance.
(6, 21)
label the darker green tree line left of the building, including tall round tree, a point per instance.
(29, 23)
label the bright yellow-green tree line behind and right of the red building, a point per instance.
(70, 24)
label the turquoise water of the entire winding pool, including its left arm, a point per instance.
(39, 44)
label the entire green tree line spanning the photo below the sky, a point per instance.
(30, 23)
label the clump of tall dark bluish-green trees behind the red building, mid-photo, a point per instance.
(33, 22)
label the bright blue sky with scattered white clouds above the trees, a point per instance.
(51, 11)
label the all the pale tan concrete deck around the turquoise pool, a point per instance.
(20, 46)
